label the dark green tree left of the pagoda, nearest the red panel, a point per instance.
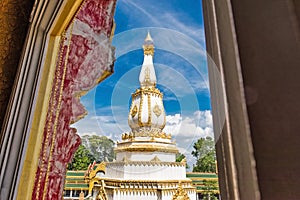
(81, 160)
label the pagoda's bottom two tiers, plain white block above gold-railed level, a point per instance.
(144, 180)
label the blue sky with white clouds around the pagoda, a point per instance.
(180, 62)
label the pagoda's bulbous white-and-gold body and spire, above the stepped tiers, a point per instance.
(147, 114)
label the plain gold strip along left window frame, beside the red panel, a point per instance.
(26, 184)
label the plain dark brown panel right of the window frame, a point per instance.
(269, 47)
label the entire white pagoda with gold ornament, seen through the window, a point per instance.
(145, 166)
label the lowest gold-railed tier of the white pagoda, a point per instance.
(117, 189)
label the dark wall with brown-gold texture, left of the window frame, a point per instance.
(14, 22)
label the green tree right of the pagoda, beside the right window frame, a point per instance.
(204, 152)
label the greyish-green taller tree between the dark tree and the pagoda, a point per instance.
(101, 147)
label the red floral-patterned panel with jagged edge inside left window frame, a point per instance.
(89, 55)
